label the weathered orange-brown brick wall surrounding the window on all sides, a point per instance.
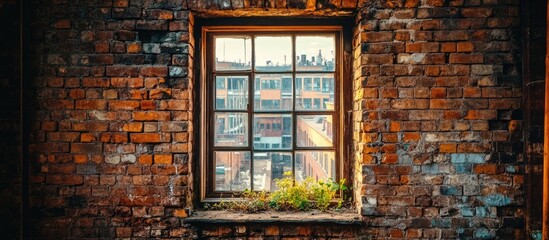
(437, 117)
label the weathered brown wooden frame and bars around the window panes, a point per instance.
(341, 113)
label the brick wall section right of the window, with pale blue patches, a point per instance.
(438, 126)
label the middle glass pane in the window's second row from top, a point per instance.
(273, 92)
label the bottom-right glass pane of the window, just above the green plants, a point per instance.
(320, 165)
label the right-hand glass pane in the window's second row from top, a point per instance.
(314, 91)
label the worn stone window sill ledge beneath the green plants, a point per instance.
(271, 217)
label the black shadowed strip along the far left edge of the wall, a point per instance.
(10, 177)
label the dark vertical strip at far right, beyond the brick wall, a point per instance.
(534, 45)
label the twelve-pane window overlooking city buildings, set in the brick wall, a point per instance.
(284, 109)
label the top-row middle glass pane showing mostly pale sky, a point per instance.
(273, 53)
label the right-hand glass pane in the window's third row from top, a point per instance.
(314, 131)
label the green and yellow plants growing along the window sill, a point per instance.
(290, 195)
